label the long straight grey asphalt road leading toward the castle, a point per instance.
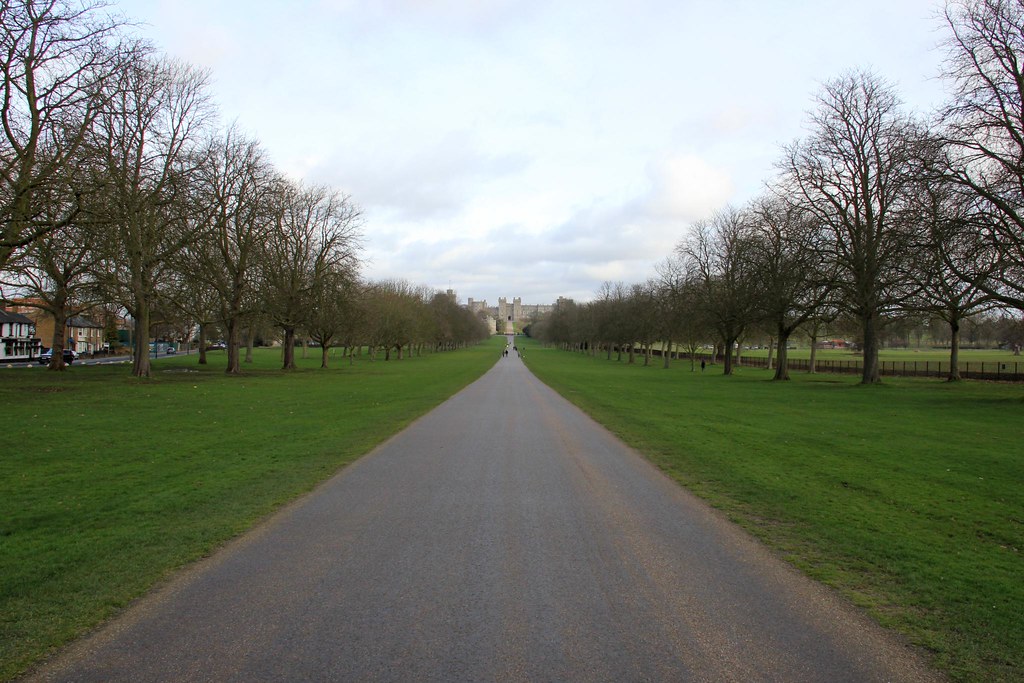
(504, 537)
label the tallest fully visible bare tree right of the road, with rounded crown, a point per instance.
(852, 177)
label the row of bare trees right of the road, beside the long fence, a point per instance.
(876, 216)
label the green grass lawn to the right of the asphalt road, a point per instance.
(908, 497)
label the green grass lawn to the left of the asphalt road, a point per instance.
(109, 484)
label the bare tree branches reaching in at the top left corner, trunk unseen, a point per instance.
(56, 58)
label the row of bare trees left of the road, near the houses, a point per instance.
(119, 187)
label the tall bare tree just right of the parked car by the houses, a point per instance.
(147, 138)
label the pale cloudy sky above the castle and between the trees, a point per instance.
(530, 149)
